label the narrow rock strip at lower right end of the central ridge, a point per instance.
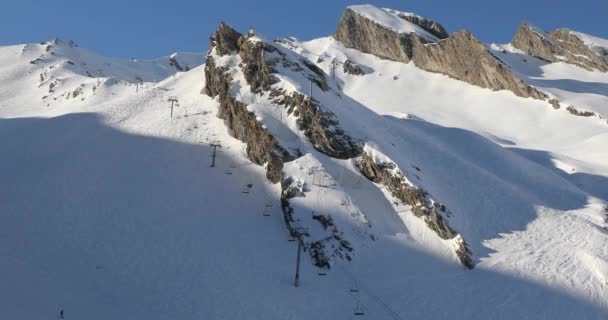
(383, 173)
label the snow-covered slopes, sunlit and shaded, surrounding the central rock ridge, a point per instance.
(111, 208)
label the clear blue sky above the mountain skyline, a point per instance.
(151, 28)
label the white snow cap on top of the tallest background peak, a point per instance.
(391, 20)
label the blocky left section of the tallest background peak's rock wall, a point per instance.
(365, 35)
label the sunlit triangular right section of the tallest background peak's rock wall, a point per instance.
(463, 57)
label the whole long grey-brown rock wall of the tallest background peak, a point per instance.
(460, 56)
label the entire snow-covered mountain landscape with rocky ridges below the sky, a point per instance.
(425, 175)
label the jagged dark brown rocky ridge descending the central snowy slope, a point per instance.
(259, 62)
